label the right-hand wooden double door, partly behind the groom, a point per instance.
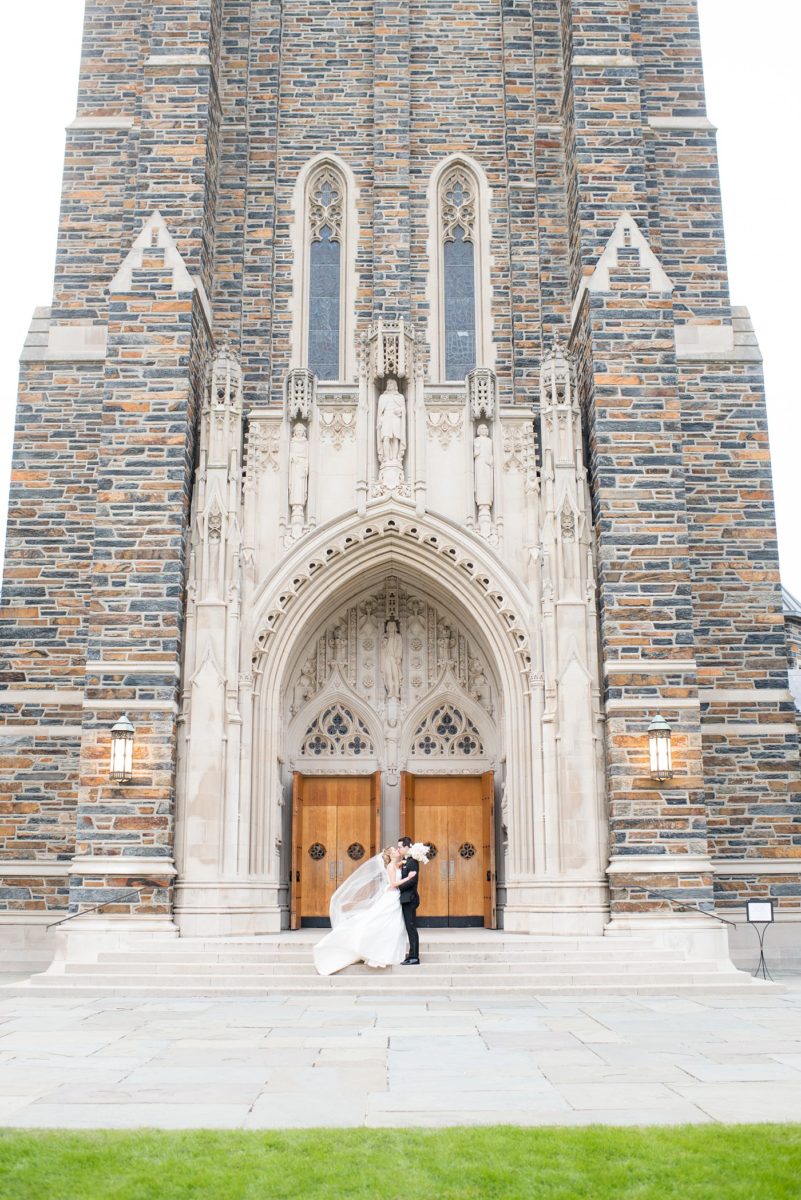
(456, 817)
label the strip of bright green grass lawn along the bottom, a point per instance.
(678, 1163)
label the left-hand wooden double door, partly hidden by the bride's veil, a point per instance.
(336, 827)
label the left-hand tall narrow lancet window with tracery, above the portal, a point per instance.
(326, 211)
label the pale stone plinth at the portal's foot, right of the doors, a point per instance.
(557, 909)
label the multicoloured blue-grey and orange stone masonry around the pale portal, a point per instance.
(183, 227)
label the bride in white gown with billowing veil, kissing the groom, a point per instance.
(366, 920)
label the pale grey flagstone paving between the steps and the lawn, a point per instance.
(282, 1063)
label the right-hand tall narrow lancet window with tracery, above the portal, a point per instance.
(459, 237)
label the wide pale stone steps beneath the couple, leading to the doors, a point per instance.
(455, 964)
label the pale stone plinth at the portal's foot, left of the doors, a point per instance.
(237, 909)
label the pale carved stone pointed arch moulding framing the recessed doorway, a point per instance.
(318, 577)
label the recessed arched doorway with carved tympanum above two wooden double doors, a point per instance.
(393, 701)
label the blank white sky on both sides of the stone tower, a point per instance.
(751, 57)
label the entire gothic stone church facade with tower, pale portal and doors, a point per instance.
(393, 454)
